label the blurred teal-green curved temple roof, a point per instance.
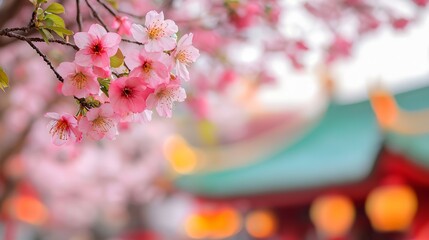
(341, 148)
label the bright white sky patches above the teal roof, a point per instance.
(399, 60)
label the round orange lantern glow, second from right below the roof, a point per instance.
(333, 215)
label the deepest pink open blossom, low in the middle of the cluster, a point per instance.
(128, 94)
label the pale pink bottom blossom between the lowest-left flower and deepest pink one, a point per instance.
(99, 123)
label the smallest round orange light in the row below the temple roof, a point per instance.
(261, 224)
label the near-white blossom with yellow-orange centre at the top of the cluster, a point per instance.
(157, 32)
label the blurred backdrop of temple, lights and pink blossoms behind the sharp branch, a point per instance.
(305, 119)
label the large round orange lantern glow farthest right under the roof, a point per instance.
(391, 208)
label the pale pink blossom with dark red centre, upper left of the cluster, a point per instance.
(96, 46)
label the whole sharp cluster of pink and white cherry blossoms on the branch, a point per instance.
(151, 80)
